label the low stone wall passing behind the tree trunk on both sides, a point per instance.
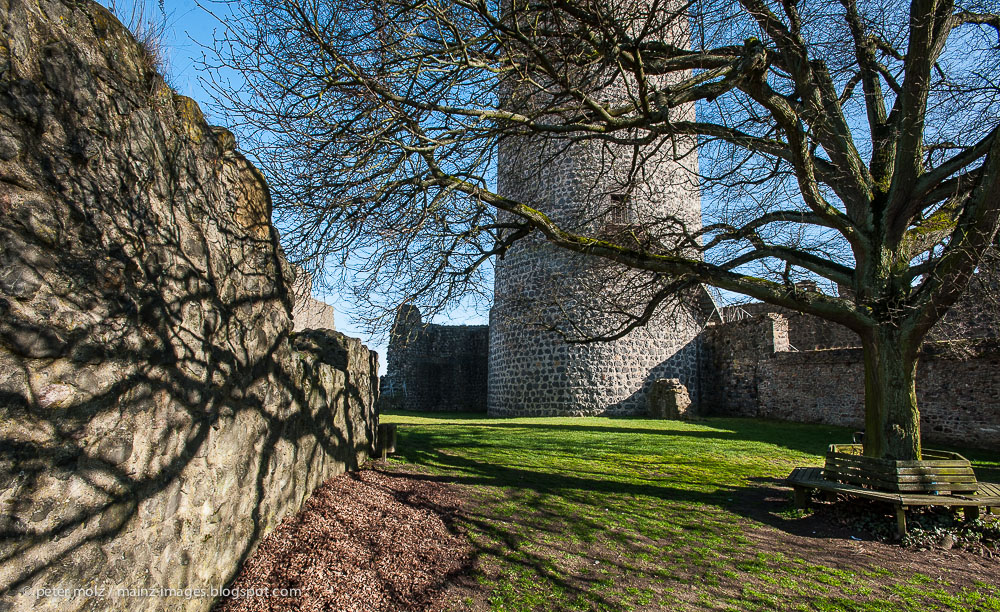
(959, 398)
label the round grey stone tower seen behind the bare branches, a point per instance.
(546, 297)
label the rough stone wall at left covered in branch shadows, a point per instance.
(156, 420)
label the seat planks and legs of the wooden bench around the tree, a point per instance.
(805, 480)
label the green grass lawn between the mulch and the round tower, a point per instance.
(636, 514)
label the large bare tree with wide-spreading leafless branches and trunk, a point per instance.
(854, 141)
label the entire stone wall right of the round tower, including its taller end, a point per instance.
(751, 370)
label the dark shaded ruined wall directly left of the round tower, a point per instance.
(437, 368)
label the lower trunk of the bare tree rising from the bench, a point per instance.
(892, 421)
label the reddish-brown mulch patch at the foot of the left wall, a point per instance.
(364, 541)
